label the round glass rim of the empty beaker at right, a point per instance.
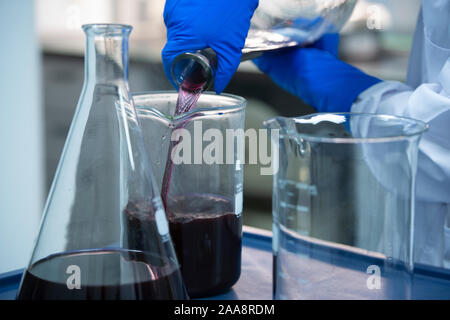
(416, 127)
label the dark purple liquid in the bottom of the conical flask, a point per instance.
(105, 275)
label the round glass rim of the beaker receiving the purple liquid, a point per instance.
(238, 104)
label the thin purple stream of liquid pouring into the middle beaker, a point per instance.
(188, 96)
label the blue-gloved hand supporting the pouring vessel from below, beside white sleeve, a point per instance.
(316, 75)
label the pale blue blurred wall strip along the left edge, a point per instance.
(22, 145)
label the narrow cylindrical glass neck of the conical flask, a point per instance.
(106, 59)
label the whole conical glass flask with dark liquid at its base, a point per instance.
(104, 234)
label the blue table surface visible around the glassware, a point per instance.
(255, 282)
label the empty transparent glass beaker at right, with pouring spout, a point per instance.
(343, 206)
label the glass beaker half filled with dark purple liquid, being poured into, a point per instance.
(204, 198)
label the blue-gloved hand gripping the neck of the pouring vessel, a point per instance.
(197, 24)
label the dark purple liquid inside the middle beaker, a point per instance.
(207, 236)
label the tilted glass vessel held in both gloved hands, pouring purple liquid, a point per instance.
(275, 25)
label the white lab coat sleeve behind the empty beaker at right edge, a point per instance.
(430, 102)
